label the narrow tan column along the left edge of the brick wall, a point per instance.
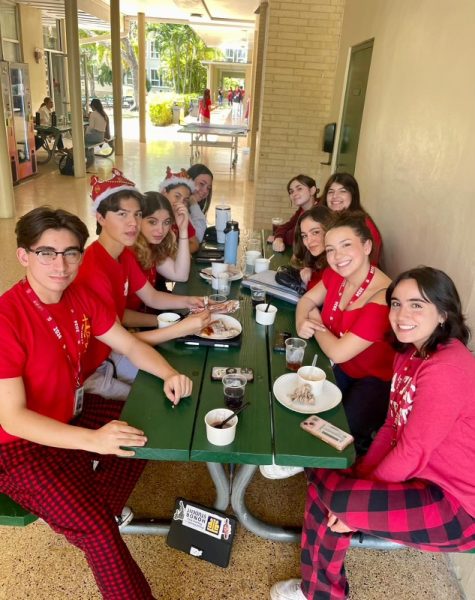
(256, 98)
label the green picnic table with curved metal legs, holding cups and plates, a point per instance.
(267, 431)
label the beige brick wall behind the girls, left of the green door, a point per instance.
(300, 59)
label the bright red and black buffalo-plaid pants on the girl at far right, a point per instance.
(414, 513)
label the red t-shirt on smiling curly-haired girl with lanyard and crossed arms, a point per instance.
(369, 322)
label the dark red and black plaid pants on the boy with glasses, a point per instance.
(61, 487)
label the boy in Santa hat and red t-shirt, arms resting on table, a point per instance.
(110, 270)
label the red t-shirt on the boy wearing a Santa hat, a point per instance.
(111, 280)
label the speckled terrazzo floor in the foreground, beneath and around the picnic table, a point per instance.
(37, 564)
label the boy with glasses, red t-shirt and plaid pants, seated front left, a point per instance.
(51, 432)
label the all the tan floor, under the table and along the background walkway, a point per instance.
(37, 564)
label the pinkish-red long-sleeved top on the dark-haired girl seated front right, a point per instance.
(435, 424)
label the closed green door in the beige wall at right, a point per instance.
(355, 93)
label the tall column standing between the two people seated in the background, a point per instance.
(74, 79)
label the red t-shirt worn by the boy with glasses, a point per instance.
(29, 349)
